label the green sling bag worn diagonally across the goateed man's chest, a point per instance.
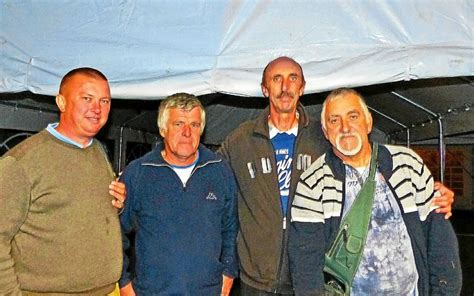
(343, 258)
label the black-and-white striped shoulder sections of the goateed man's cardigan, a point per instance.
(319, 193)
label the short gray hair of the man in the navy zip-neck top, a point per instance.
(183, 101)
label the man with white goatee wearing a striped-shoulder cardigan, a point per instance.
(410, 249)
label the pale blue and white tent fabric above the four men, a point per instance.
(150, 49)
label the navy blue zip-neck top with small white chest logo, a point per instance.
(184, 233)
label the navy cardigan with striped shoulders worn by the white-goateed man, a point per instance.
(319, 198)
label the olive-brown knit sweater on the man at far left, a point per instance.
(59, 232)
